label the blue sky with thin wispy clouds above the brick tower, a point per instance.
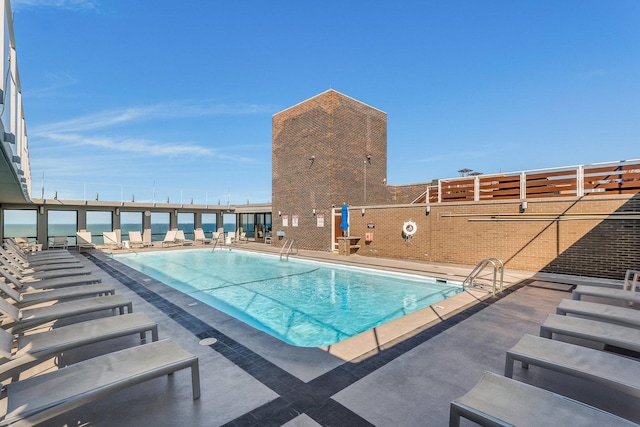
(161, 99)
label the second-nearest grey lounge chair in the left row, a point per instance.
(23, 351)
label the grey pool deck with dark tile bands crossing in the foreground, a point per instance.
(404, 375)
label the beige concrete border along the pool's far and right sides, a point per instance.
(387, 335)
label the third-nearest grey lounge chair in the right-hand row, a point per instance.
(593, 330)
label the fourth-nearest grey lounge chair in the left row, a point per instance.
(23, 299)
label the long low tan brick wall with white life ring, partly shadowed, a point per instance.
(465, 233)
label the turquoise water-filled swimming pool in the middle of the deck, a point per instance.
(303, 303)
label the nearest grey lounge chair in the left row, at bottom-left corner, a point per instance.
(44, 396)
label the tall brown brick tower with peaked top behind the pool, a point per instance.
(324, 151)
